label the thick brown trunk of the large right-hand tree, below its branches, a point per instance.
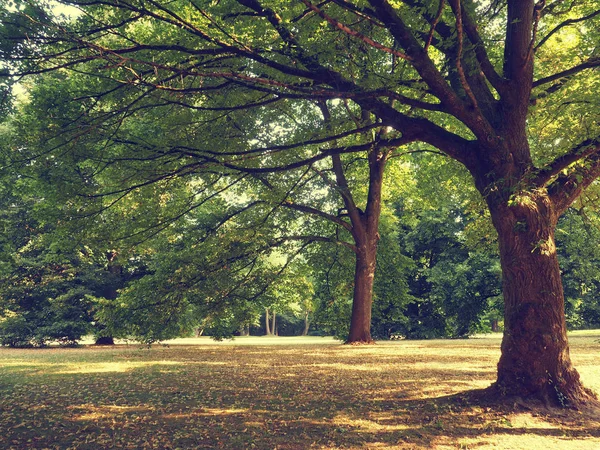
(535, 362)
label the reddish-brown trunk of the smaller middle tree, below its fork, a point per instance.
(364, 274)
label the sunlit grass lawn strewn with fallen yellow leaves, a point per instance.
(276, 393)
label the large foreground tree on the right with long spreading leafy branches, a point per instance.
(472, 79)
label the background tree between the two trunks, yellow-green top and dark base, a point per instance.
(444, 230)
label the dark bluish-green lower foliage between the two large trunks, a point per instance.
(454, 286)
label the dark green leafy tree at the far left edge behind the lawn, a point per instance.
(51, 285)
